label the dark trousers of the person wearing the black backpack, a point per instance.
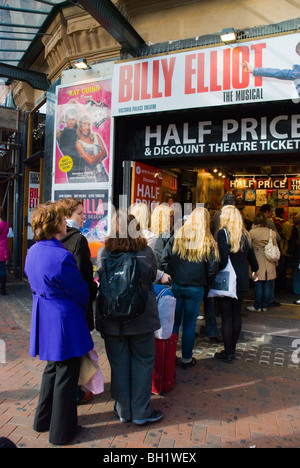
(132, 360)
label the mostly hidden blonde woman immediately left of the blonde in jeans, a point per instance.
(162, 225)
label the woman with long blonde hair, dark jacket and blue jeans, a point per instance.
(191, 258)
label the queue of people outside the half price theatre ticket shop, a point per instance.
(187, 258)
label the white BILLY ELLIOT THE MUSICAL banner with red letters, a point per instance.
(215, 76)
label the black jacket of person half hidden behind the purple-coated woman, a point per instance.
(77, 244)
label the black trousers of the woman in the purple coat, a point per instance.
(57, 407)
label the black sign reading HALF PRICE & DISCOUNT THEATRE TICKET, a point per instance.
(252, 129)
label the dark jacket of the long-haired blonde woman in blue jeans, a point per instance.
(188, 273)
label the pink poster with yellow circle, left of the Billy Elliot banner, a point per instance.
(82, 140)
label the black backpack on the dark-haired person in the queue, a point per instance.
(120, 296)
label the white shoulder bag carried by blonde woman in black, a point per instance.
(225, 281)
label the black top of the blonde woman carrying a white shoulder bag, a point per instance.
(240, 260)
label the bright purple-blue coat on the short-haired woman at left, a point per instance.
(59, 329)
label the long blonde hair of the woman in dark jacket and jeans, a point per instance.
(194, 240)
